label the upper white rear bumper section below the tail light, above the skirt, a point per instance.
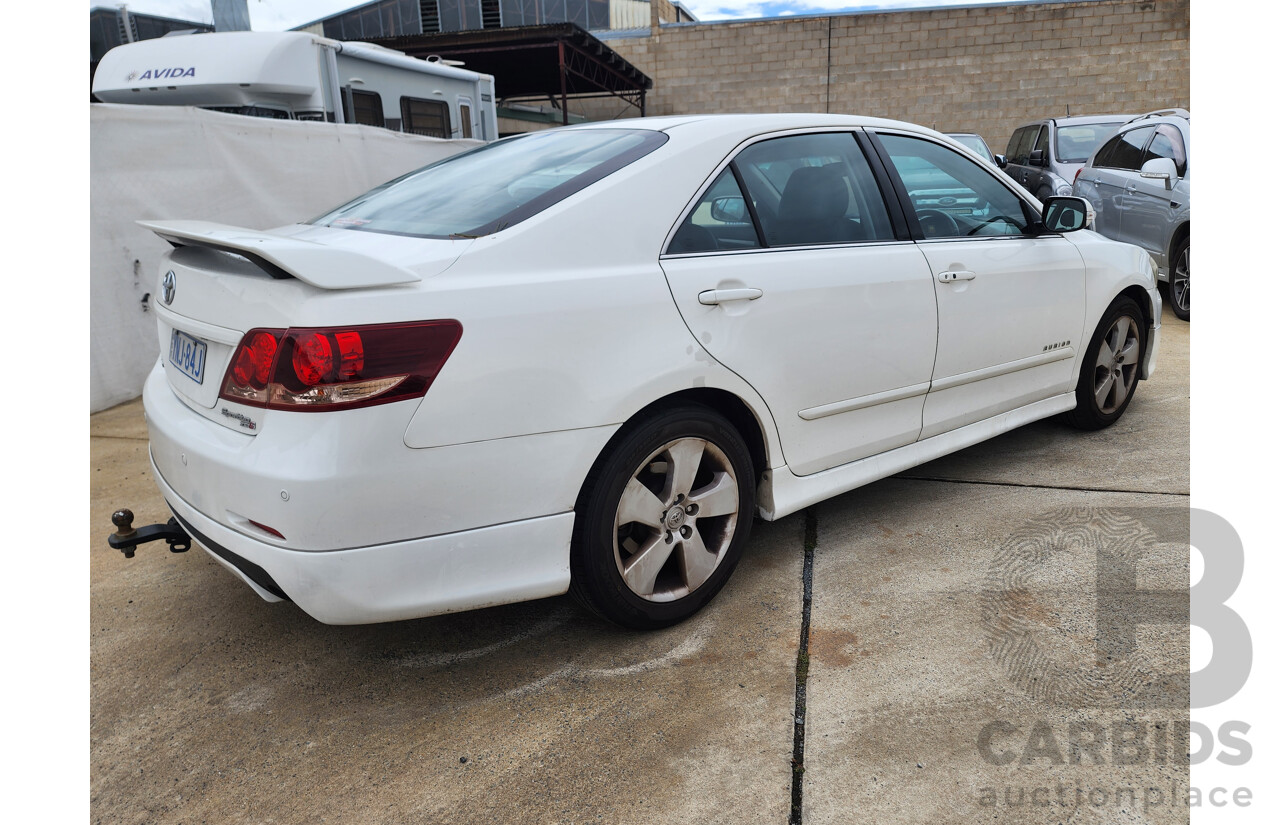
(346, 480)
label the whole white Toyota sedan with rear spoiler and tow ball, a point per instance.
(584, 360)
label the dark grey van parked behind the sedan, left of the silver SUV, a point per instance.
(1044, 157)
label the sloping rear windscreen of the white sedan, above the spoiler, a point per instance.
(495, 186)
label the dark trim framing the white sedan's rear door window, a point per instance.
(897, 219)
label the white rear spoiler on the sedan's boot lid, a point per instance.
(324, 267)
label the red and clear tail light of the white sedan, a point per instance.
(339, 368)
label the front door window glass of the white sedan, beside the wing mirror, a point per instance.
(953, 196)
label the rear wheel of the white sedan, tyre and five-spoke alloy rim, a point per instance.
(662, 519)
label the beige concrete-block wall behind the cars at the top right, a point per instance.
(977, 70)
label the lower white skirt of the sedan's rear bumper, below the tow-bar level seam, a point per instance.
(406, 580)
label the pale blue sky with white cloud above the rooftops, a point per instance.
(284, 15)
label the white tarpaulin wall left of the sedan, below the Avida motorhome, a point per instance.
(167, 163)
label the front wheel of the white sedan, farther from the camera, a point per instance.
(1109, 375)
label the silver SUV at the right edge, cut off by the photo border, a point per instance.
(1140, 182)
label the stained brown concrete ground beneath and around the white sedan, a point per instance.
(952, 673)
